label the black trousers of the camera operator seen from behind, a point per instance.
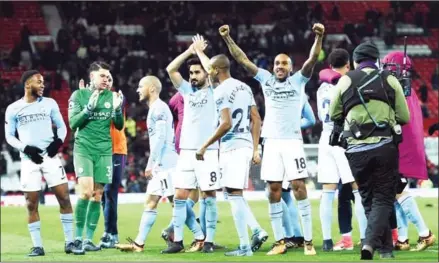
(376, 173)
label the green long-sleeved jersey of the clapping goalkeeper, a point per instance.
(93, 128)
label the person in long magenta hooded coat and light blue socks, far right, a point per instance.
(412, 161)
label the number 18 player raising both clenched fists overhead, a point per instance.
(284, 156)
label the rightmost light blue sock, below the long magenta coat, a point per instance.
(411, 210)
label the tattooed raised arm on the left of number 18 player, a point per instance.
(236, 52)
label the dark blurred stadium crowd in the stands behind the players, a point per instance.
(84, 38)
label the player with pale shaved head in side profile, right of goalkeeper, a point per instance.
(162, 159)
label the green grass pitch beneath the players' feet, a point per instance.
(15, 239)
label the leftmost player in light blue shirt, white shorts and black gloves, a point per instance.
(32, 117)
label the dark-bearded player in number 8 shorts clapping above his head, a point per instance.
(198, 123)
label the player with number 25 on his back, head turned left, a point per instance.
(238, 132)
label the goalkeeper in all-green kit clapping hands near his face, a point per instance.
(91, 111)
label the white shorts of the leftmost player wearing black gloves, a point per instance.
(51, 169)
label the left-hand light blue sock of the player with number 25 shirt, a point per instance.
(237, 204)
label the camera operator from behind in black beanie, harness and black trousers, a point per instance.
(371, 105)
